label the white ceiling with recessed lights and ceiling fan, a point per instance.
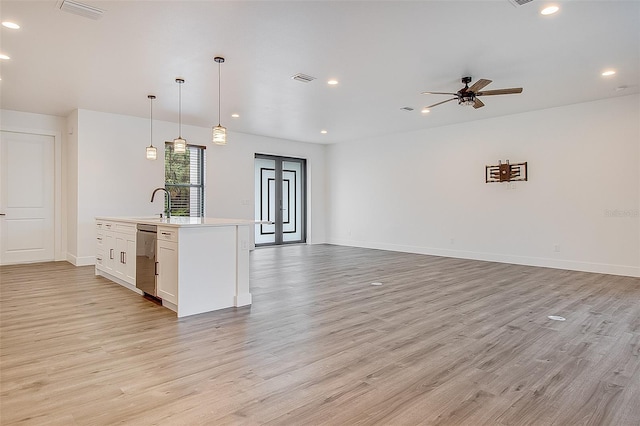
(384, 54)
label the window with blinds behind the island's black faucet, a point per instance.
(184, 179)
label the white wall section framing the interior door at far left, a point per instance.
(49, 125)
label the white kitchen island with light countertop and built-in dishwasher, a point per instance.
(201, 264)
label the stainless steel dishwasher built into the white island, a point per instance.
(146, 258)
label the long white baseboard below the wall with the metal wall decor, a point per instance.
(601, 268)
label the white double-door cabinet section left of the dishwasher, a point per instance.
(116, 250)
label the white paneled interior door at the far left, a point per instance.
(26, 198)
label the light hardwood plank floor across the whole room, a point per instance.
(442, 341)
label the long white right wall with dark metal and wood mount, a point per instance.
(424, 191)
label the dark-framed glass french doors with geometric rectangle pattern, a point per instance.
(280, 187)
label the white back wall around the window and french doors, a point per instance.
(115, 178)
